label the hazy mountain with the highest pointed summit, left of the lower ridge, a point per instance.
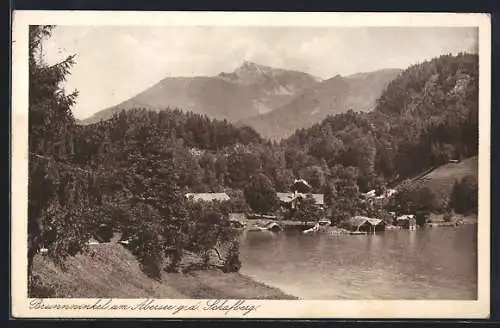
(250, 90)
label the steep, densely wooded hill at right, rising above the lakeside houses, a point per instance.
(427, 116)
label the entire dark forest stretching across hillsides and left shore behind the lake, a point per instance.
(133, 170)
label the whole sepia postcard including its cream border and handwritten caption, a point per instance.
(230, 166)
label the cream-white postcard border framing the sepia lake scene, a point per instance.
(267, 309)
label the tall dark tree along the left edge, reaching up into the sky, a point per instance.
(63, 201)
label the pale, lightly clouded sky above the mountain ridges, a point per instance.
(114, 63)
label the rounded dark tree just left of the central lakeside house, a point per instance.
(261, 195)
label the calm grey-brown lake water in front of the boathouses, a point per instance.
(431, 263)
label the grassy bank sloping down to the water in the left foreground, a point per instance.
(110, 271)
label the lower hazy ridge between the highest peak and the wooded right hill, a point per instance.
(333, 96)
